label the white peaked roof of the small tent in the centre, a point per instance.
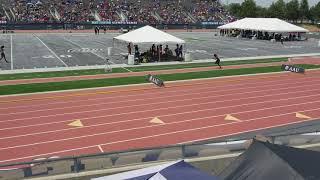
(148, 34)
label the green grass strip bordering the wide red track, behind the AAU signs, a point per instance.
(54, 86)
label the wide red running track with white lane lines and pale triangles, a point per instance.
(122, 118)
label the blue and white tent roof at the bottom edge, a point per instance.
(170, 171)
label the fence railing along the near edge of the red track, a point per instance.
(75, 164)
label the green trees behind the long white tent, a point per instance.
(294, 10)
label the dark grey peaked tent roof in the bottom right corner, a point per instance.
(265, 161)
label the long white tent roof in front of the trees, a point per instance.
(263, 24)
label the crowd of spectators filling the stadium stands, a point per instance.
(140, 11)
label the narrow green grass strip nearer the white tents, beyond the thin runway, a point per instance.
(134, 69)
